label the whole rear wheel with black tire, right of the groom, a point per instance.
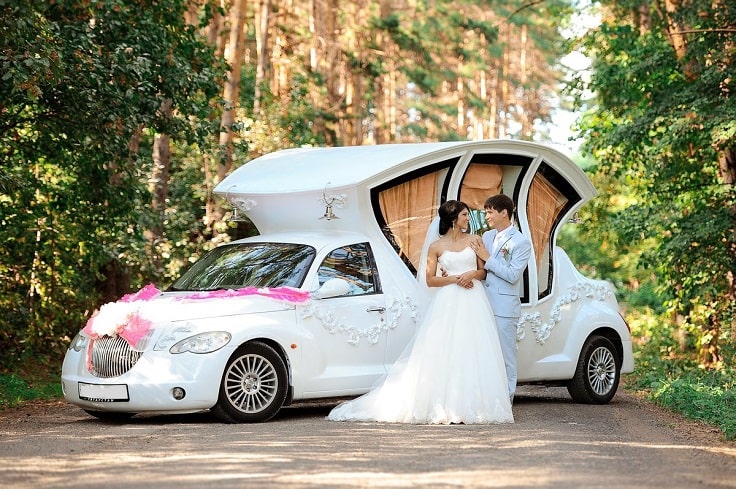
(597, 374)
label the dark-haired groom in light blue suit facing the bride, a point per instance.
(506, 253)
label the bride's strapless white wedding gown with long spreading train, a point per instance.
(454, 370)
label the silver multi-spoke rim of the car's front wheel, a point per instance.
(251, 384)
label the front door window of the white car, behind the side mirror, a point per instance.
(354, 264)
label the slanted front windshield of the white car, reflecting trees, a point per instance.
(248, 264)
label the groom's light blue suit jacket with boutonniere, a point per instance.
(503, 282)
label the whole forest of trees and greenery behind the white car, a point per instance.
(118, 117)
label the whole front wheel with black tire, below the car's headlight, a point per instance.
(254, 385)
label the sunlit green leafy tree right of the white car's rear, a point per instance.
(658, 136)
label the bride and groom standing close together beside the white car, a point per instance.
(461, 365)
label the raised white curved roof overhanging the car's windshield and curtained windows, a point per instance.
(289, 189)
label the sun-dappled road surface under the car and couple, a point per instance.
(553, 444)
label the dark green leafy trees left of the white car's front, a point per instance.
(83, 86)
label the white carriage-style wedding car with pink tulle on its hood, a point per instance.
(324, 299)
